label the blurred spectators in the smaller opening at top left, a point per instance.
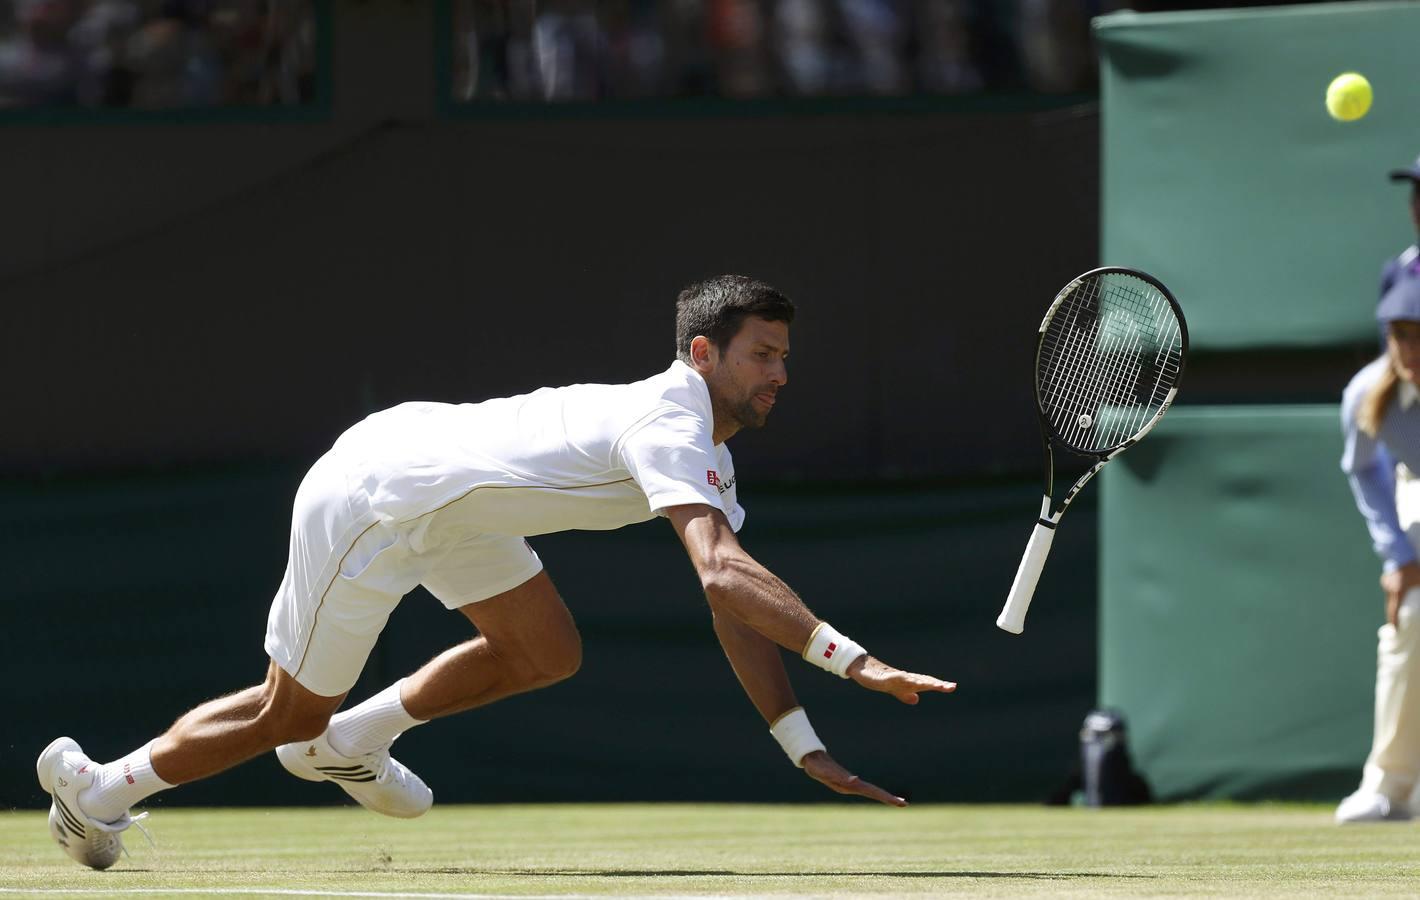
(157, 55)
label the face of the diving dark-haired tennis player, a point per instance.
(750, 373)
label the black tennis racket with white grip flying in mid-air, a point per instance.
(1107, 368)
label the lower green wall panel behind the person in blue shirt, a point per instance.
(1239, 605)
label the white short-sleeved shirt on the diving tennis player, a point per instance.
(586, 456)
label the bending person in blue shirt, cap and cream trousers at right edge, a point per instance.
(1381, 421)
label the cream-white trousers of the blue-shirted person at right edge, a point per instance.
(1394, 766)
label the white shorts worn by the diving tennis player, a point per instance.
(347, 571)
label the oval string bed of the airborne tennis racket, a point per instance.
(1111, 354)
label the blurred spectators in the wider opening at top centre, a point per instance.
(563, 50)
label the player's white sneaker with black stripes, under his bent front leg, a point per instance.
(376, 780)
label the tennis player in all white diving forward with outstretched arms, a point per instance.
(445, 496)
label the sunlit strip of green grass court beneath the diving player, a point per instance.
(834, 850)
